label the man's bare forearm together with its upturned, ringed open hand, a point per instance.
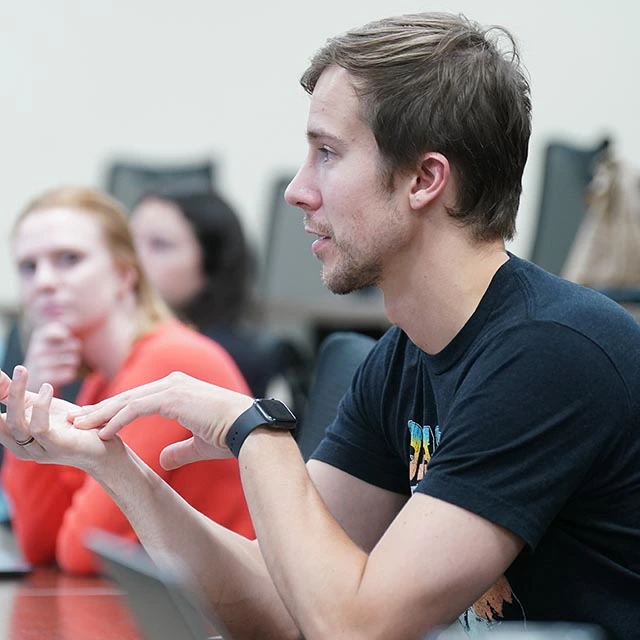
(226, 570)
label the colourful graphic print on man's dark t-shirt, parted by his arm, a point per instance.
(488, 610)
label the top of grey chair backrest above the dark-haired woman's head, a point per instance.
(127, 181)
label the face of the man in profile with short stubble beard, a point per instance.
(341, 190)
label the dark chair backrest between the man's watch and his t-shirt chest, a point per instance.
(338, 357)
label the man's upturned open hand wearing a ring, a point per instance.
(36, 427)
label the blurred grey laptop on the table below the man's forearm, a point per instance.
(161, 606)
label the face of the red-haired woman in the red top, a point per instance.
(66, 271)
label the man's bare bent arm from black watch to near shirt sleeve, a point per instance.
(433, 562)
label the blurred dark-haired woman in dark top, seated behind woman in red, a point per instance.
(193, 248)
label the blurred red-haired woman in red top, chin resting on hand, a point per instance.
(89, 306)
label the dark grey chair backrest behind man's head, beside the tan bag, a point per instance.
(568, 170)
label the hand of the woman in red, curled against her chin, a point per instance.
(53, 356)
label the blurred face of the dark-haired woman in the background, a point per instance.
(169, 251)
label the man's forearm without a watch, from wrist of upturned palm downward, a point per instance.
(225, 569)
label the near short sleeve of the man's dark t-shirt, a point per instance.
(528, 424)
